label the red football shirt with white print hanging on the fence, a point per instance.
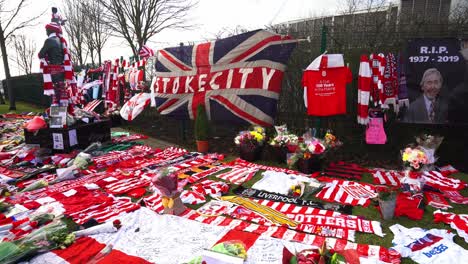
(326, 90)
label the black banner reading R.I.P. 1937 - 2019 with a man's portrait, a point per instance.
(437, 78)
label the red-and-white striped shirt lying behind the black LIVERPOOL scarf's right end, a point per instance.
(347, 192)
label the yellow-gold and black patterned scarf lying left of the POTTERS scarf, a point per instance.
(267, 212)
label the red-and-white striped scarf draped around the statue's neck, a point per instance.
(67, 66)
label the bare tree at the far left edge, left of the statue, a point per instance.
(9, 24)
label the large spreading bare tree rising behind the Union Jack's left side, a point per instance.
(139, 20)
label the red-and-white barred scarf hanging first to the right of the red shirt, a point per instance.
(364, 89)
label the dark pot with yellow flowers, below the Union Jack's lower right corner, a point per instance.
(250, 143)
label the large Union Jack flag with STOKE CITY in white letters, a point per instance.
(237, 79)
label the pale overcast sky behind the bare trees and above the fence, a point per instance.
(211, 16)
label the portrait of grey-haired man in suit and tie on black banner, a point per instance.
(431, 106)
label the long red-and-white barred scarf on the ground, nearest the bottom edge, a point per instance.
(368, 251)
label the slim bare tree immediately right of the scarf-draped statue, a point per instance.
(75, 27)
